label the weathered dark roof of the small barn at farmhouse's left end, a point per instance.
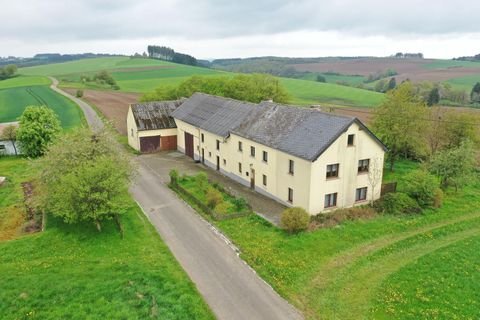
(155, 115)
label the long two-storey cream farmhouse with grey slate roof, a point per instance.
(298, 156)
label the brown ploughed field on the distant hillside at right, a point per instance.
(412, 69)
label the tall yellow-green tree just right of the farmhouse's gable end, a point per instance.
(398, 122)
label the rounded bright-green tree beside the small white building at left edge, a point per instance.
(39, 126)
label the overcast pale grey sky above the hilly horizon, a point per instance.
(224, 29)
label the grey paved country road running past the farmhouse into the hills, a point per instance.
(231, 289)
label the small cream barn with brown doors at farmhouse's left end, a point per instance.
(151, 127)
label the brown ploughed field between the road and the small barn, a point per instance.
(113, 105)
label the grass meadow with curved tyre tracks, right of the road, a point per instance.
(388, 267)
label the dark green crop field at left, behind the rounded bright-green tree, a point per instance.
(13, 102)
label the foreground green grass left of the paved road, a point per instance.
(75, 272)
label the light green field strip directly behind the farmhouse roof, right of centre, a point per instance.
(306, 92)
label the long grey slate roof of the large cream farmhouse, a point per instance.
(302, 132)
